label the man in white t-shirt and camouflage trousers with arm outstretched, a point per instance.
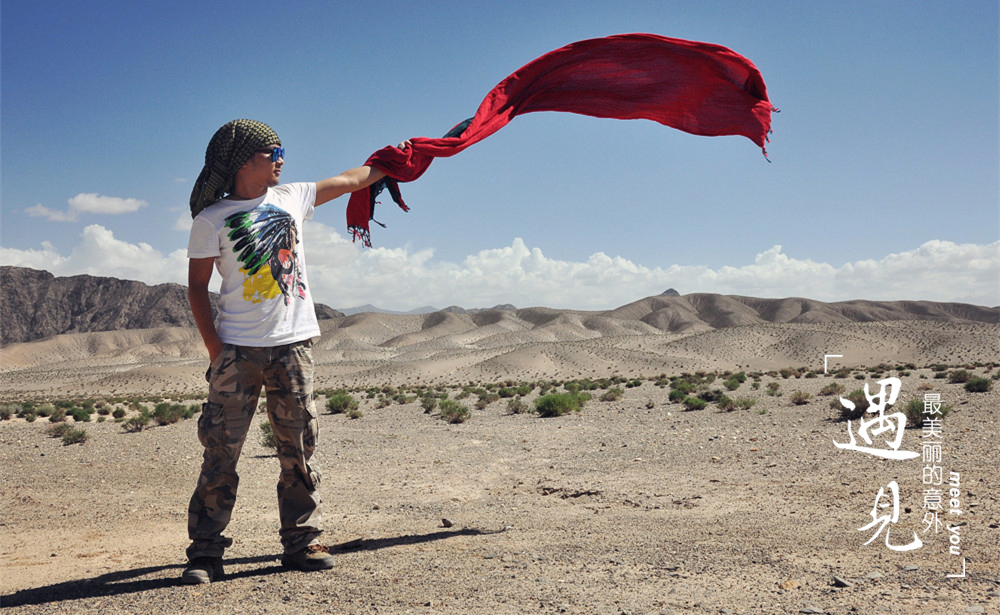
(249, 228)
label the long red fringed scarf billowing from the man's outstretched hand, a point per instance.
(700, 88)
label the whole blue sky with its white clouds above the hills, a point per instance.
(883, 182)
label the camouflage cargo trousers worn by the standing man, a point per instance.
(235, 379)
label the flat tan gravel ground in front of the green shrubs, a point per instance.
(631, 506)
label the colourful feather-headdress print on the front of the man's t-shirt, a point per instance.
(264, 241)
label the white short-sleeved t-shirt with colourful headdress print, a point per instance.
(257, 245)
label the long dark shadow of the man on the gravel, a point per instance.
(134, 581)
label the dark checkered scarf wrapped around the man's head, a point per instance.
(230, 148)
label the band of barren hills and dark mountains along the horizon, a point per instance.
(105, 334)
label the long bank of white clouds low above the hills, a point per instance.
(342, 274)
